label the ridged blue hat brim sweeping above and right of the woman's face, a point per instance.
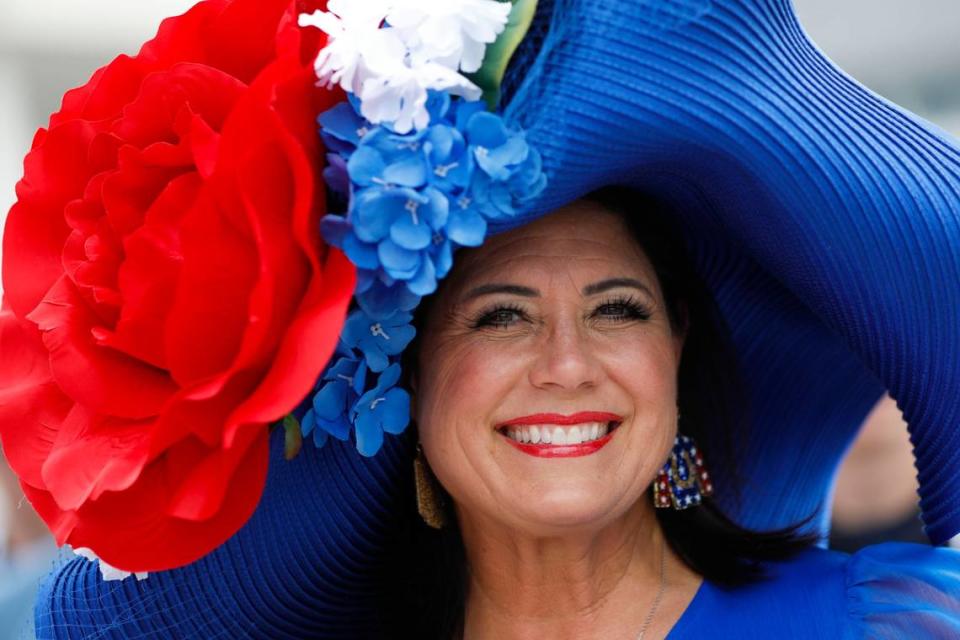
(825, 219)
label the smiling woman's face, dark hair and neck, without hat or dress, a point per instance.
(548, 378)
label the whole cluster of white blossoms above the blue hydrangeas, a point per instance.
(389, 53)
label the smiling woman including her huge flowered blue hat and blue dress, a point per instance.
(142, 360)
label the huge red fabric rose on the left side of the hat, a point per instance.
(167, 291)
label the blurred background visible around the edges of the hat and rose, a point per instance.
(907, 52)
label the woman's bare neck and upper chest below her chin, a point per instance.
(588, 584)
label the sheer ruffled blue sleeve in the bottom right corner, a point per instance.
(902, 590)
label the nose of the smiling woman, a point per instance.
(565, 359)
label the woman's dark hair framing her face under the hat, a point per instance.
(430, 565)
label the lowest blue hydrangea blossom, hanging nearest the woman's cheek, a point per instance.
(385, 408)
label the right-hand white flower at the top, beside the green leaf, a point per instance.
(453, 33)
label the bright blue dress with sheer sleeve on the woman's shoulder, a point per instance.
(889, 591)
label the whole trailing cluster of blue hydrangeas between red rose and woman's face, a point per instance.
(412, 200)
